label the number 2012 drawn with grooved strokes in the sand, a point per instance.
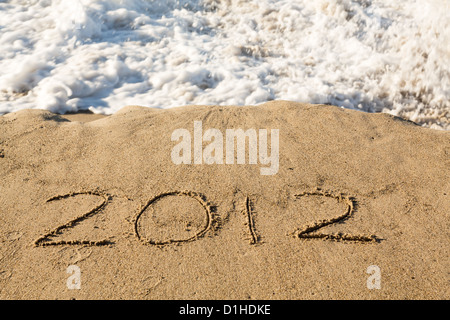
(210, 221)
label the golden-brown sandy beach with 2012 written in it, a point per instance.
(355, 196)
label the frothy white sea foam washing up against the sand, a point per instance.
(372, 55)
